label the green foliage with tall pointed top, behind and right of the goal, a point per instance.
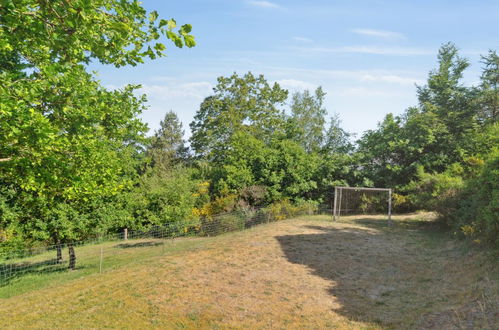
(444, 129)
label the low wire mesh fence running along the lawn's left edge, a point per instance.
(115, 249)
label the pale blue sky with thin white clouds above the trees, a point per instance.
(367, 55)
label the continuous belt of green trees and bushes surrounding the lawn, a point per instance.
(75, 162)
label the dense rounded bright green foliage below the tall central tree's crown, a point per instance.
(283, 167)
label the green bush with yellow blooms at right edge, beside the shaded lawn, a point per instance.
(469, 206)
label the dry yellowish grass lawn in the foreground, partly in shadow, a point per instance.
(307, 272)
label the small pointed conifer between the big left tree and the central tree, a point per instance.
(168, 144)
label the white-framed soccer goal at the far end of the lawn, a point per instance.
(361, 200)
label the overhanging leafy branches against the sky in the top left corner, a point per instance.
(112, 31)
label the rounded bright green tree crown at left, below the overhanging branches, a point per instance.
(69, 141)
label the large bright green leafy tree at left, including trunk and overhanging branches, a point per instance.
(66, 140)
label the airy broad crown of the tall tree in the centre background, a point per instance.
(248, 104)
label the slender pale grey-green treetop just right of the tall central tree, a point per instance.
(308, 118)
